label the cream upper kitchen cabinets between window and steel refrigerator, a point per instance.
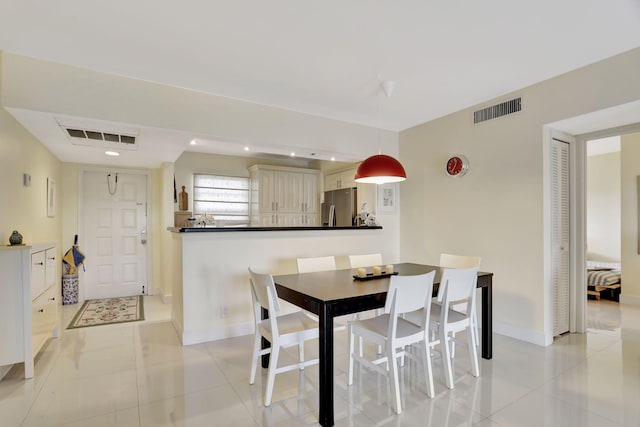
(283, 197)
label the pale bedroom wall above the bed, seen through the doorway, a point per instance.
(603, 207)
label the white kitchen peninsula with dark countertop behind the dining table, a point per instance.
(211, 297)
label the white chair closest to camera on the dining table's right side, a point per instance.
(391, 331)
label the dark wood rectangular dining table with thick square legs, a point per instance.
(329, 294)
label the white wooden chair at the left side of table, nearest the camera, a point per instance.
(281, 331)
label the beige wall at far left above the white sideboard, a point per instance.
(25, 208)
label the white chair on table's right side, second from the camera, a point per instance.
(458, 286)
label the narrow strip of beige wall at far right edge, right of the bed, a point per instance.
(630, 166)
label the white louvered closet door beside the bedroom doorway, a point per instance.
(560, 230)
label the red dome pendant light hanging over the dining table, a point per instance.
(380, 168)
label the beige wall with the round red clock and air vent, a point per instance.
(497, 210)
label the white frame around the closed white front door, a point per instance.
(81, 224)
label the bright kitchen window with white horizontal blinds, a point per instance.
(224, 197)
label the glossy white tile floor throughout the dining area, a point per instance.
(137, 374)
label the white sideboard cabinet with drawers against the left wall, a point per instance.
(28, 303)
